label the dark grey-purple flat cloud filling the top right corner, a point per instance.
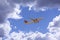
(46, 4)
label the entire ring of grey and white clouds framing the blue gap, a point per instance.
(10, 9)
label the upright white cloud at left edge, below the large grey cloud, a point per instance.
(5, 28)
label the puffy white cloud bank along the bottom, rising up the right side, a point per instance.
(53, 34)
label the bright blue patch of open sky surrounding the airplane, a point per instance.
(47, 16)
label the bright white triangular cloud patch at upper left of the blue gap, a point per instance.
(16, 13)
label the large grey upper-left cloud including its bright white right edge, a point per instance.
(8, 8)
